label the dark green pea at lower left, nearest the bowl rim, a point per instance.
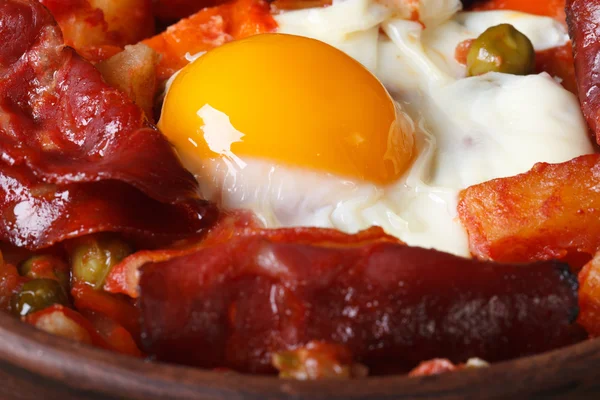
(37, 295)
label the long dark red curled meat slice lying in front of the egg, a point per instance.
(237, 303)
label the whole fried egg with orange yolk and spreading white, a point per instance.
(356, 115)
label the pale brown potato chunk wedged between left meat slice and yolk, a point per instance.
(133, 71)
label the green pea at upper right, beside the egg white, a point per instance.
(501, 48)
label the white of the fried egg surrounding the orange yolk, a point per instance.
(465, 130)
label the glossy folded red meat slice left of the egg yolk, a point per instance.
(75, 153)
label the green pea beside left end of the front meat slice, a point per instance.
(93, 257)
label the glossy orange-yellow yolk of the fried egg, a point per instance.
(296, 101)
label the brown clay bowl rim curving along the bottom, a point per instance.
(35, 365)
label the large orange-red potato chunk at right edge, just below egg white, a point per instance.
(549, 212)
